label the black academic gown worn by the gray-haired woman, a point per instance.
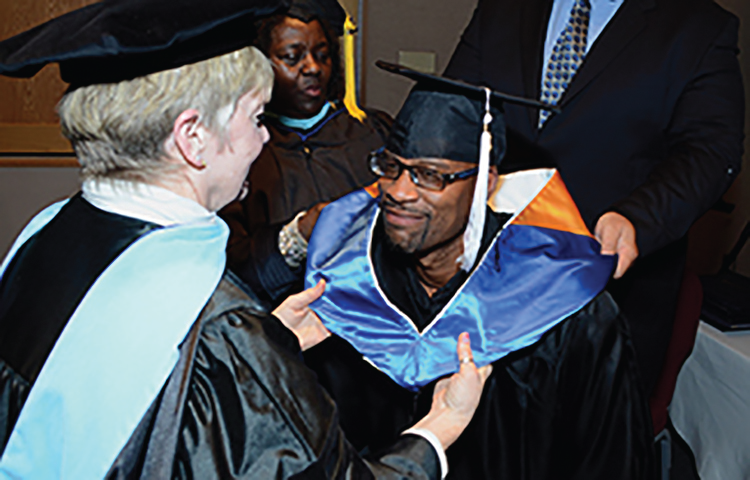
(238, 404)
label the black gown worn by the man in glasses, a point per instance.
(569, 406)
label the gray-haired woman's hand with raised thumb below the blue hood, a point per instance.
(456, 397)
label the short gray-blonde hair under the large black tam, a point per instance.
(118, 130)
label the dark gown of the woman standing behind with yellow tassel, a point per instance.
(296, 170)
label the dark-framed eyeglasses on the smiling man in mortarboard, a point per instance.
(385, 164)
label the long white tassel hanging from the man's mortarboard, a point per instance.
(475, 226)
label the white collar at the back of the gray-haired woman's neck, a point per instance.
(145, 202)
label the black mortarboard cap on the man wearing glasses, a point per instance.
(443, 118)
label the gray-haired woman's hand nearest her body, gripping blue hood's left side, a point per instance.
(296, 315)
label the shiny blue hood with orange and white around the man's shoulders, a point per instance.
(541, 268)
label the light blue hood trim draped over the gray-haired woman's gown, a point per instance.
(115, 353)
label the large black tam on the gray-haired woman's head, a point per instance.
(117, 40)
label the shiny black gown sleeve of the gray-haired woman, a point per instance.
(255, 411)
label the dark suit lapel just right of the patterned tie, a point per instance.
(626, 25)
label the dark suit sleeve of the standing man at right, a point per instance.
(704, 150)
